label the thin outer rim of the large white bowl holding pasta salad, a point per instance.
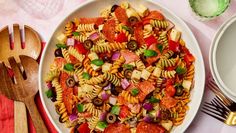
(188, 30)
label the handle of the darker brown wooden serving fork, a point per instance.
(37, 119)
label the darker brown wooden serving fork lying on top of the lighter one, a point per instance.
(25, 88)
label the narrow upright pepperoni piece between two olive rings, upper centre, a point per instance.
(138, 33)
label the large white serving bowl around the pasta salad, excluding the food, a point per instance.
(92, 8)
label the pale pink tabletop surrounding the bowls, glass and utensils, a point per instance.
(45, 15)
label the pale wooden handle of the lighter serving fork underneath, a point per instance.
(20, 118)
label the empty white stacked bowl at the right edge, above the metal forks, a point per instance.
(222, 58)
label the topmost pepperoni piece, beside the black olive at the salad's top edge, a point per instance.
(121, 15)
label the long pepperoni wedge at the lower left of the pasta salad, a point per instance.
(67, 96)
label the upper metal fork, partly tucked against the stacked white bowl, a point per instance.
(227, 102)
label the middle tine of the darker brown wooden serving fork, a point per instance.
(16, 69)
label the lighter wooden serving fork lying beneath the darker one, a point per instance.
(32, 49)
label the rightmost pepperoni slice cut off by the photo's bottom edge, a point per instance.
(144, 127)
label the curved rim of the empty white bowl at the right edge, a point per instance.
(212, 58)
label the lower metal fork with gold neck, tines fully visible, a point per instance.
(219, 111)
